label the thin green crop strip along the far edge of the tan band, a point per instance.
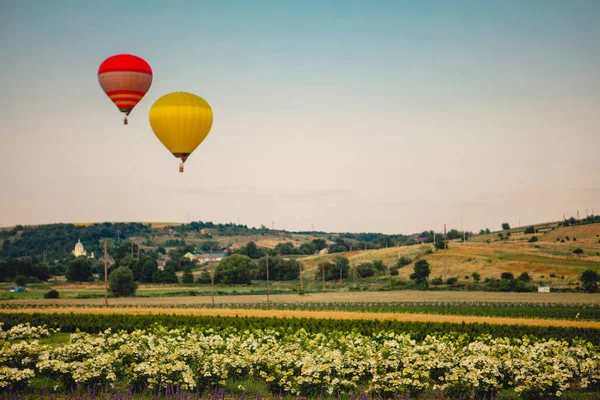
(590, 312)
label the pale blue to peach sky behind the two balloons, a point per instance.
(354, 116)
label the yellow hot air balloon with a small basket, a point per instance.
(181, 121)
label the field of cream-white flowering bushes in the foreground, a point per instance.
(298, 362)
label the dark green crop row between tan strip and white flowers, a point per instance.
(94, 323)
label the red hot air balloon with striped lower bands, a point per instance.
(125, 78)
